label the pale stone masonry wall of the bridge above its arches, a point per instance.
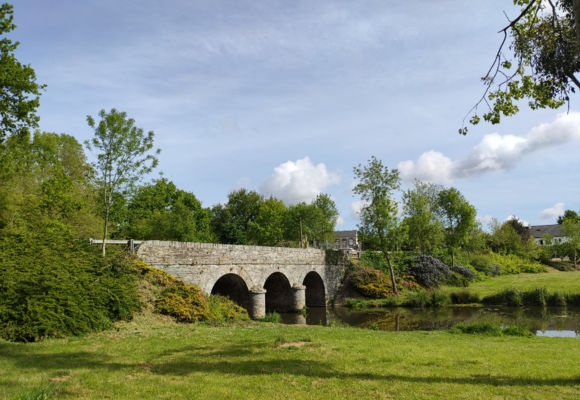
(203, 264)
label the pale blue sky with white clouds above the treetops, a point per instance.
(285, 97)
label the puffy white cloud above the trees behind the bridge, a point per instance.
(298, 181)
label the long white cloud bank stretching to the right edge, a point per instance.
(495, 152)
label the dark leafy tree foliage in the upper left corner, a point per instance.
(19, 96)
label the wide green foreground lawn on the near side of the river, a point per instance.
(160, 360)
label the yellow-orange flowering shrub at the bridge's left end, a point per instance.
(183, 302)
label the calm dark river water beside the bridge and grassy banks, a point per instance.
(550, 321)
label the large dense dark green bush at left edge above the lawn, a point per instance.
(54, 286)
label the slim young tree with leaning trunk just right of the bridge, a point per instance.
(376, 186)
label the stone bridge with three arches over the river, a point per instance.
(260, 279)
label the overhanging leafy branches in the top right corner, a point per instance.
(543, 61)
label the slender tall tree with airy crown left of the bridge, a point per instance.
(123, 157)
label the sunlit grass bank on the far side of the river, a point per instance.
(552, 280)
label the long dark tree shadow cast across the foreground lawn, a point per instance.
(192, 359)
